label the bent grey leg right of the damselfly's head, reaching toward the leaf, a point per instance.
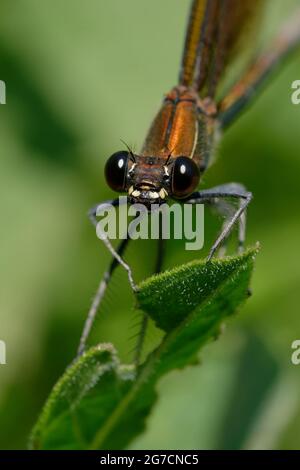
(231, 190)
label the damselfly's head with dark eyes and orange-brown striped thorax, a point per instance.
(175, 153)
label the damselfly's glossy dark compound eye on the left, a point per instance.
(116, 170)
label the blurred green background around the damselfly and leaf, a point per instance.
(80, 76)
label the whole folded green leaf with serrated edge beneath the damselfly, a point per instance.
(99, 404)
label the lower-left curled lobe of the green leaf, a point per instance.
(83, 398)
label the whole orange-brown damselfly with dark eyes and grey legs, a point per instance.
(182, 138)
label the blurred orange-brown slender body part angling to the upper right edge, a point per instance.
(245, 90)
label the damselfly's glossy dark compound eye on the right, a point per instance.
(185, 177)
